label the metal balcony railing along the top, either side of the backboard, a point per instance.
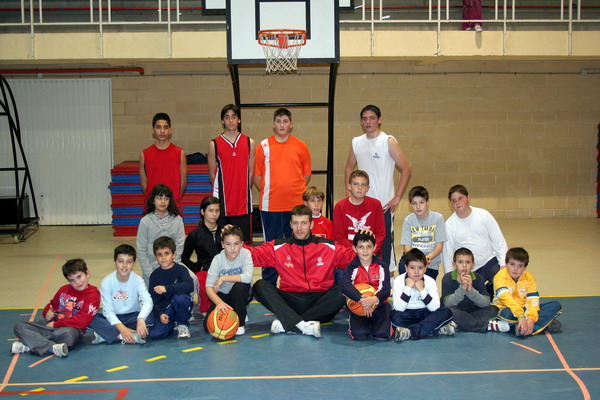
(171, 14)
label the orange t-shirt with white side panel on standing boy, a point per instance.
(282, 167)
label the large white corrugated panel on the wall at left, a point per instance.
(66, 128)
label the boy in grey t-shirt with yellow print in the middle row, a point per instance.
(423, 229)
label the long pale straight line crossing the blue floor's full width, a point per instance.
(288, 377)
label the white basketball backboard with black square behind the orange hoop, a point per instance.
(319, 18)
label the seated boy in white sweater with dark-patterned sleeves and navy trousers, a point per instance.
(416, 311)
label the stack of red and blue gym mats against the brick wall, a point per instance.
(128, 199)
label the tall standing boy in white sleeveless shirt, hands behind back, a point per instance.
(379, 155)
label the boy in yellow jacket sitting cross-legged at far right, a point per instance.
(518, 299)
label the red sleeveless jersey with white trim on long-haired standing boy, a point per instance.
(232, 183)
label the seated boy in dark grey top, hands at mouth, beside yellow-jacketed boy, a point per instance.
(464, 293)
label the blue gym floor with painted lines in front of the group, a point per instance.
(258, 365)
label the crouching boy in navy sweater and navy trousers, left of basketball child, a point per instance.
(170, 288)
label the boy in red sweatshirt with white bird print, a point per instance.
(358, 211)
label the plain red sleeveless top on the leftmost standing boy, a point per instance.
(164, 167)
